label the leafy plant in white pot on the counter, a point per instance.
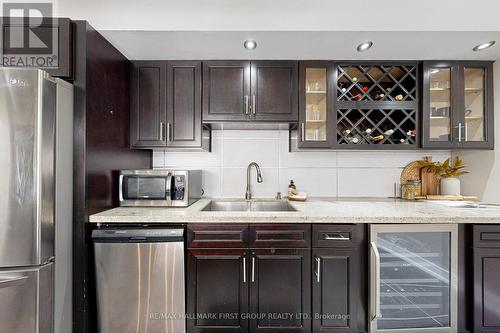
(449, 171)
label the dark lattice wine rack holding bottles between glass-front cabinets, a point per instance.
(376, 106)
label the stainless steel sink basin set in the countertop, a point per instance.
(249, 206)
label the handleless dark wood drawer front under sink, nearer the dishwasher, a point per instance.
(217, 235)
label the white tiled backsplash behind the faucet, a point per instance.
(319, 173)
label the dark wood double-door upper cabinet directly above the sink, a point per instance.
(250, 91)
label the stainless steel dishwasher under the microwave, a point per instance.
(140, 280)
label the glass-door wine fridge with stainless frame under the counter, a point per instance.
(413, 278)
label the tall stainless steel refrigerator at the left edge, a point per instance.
(36, 126)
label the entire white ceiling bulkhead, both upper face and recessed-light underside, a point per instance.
(293, 29)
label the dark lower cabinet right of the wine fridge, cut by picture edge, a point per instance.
(486, 273)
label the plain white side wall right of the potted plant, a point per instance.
(484, 166)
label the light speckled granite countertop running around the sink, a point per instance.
(314, 210)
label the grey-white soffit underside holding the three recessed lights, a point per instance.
(143, 45)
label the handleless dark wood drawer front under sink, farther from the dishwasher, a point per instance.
(280, 235)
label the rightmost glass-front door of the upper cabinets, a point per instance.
(476, 120)
